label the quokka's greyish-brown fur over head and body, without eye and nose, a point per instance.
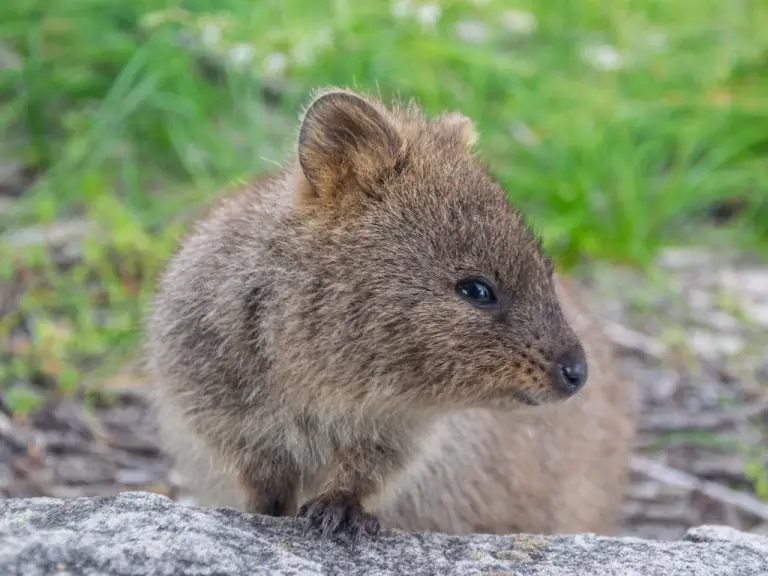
(309, 346)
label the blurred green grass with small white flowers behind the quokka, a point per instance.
(615, 124)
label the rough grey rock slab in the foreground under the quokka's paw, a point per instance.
(138, 533)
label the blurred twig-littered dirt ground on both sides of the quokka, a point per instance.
(694, 341)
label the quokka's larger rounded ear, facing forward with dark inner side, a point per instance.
(345, 142)
